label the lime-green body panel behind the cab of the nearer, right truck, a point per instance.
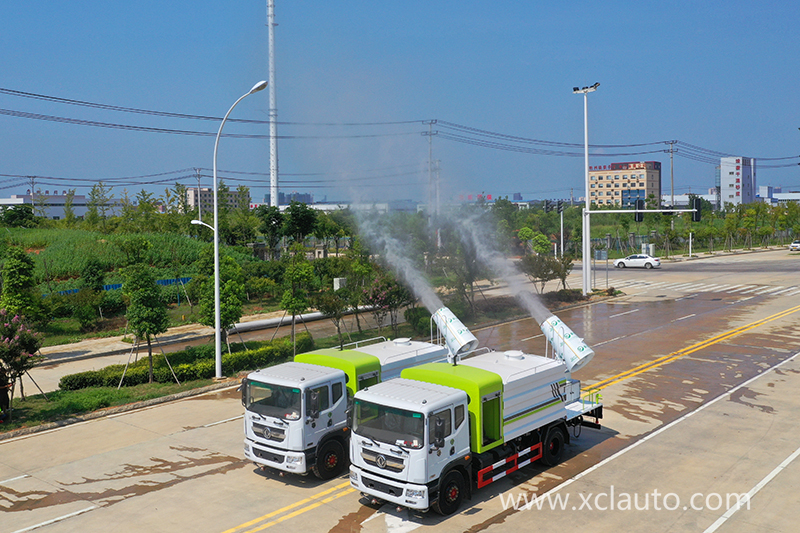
(486, 418)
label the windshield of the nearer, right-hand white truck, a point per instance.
(389, 425)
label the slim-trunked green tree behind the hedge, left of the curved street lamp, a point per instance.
(147, 311)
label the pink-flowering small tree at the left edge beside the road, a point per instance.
(18, 346)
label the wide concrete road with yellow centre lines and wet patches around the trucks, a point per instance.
(696, 369)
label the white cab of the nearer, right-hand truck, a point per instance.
(410, 441)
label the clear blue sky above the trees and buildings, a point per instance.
(719, 76)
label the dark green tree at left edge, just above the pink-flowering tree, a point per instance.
(18, 296)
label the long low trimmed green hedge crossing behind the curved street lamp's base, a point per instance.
(191, 364)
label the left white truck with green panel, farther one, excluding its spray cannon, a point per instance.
(296, 413)
